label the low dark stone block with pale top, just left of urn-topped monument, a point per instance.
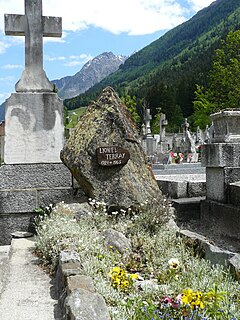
(187, 208)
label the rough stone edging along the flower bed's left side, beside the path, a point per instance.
(77, 296)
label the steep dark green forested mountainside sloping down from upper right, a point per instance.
(164, 74)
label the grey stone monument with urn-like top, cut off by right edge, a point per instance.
(222, 162)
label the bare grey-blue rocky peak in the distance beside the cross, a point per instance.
(91, 73)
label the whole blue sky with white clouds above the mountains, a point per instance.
(90, 28)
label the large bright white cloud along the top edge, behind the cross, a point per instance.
(136, 17)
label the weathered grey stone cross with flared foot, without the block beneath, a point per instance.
(34, 26)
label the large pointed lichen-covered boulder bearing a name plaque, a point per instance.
(96, 159)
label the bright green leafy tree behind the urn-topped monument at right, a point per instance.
(223, 89)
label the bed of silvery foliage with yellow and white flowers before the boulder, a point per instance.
(171, 282)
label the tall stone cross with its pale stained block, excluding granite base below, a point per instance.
(34, 131)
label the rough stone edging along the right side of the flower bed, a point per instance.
(210, 252)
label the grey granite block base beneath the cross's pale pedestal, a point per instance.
(25, 187)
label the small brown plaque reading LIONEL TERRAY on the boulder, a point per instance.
(112, 156)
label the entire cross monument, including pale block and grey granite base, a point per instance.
(32, 175)
